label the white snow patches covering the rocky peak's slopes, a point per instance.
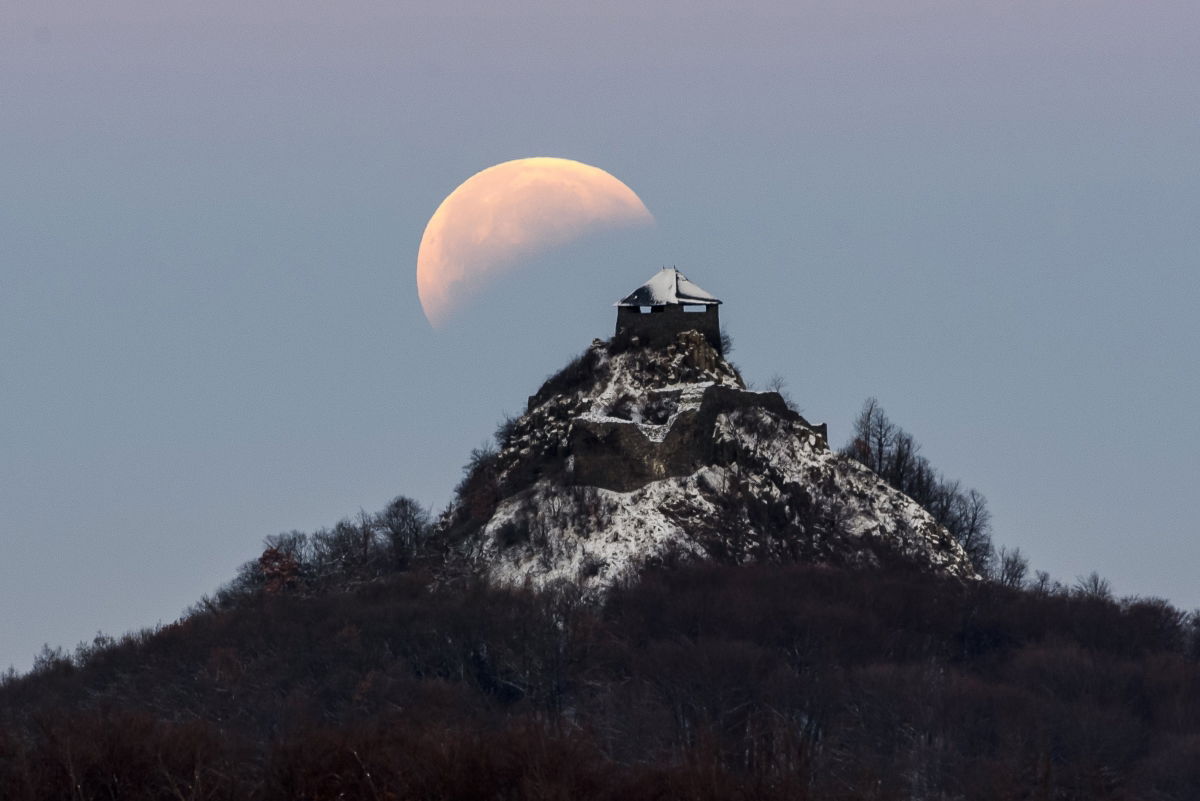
(550, 533)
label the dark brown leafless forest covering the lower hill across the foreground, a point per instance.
(699, 683)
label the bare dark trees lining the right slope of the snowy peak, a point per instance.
(895, 456)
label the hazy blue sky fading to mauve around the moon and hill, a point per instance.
(985, 214)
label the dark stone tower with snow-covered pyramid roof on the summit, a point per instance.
(663, 308)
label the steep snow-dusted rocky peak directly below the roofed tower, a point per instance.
(643, 455)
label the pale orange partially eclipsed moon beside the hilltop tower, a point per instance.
(509, 213)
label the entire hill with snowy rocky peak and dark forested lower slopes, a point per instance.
(661, 585)
